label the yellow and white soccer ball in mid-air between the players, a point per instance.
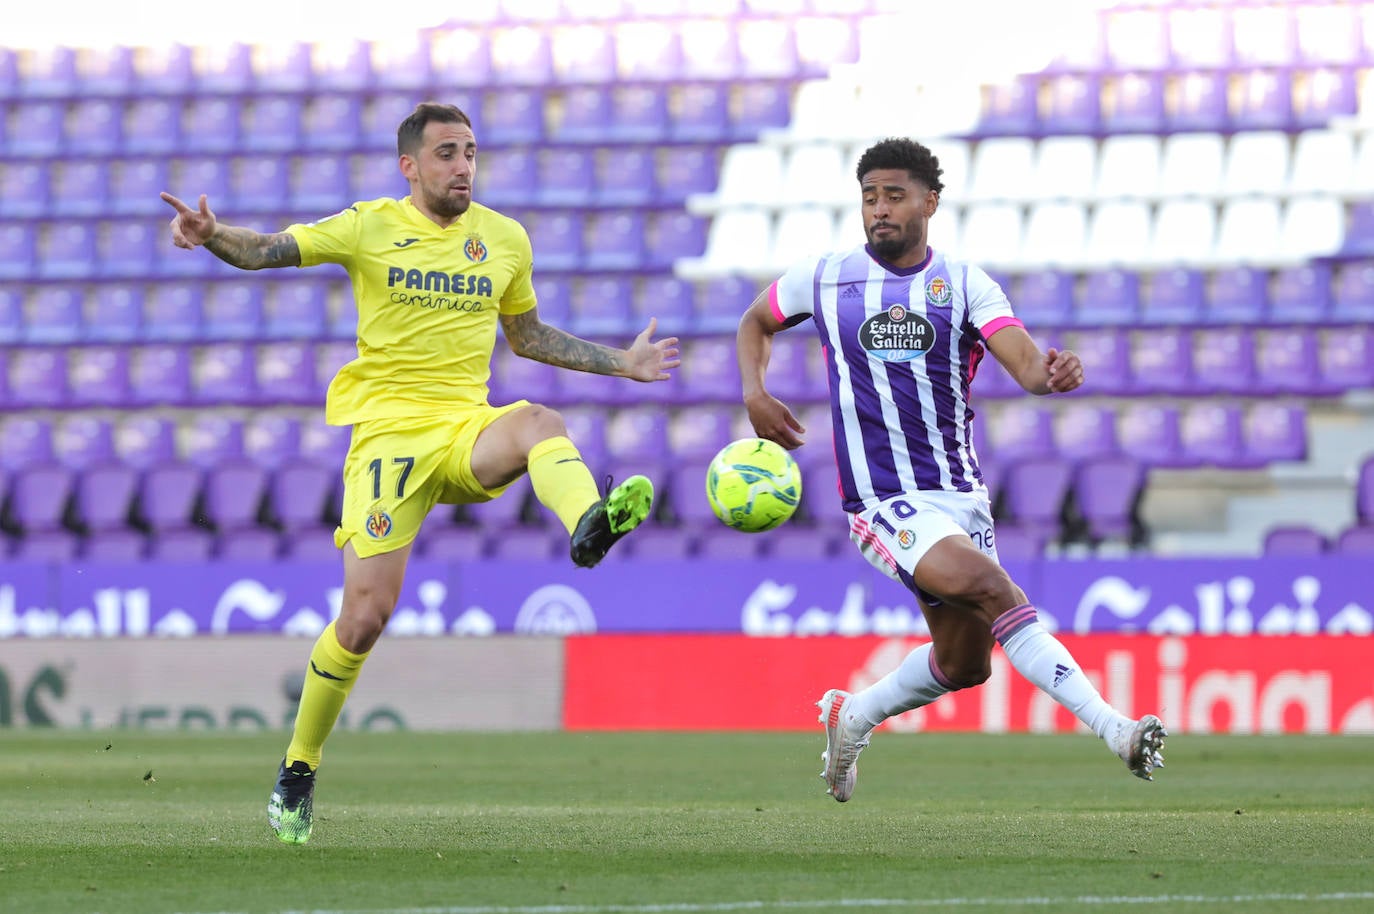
(754, 486)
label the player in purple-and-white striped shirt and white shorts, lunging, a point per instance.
(903, 328)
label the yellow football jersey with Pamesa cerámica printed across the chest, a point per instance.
(428, 303)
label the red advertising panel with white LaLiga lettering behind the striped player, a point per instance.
(1314, 684)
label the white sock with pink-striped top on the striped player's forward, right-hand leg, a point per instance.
(1042, 659)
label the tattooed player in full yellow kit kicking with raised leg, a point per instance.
(433, 276)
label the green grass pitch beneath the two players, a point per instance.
(637, 824)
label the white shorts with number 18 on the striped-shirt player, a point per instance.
(898, 534)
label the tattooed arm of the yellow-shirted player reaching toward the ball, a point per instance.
(645, 361)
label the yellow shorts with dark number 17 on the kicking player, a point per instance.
(399, 469)
